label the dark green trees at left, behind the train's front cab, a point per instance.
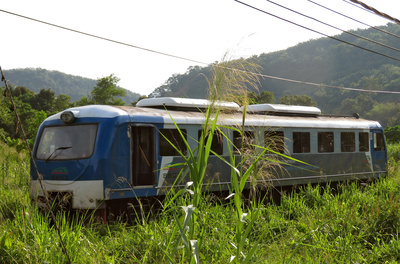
(22, 110)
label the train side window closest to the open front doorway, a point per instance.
(172, 136)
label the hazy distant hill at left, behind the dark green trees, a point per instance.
(76, 87)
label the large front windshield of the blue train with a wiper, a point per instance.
(67, 142)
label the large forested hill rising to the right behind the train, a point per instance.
(322, 61)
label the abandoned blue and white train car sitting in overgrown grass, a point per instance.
(102, 157)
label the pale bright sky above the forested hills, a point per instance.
(201, 31)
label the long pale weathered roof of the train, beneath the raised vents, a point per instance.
(148, 114)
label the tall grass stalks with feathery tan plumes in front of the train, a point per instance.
(231, 80)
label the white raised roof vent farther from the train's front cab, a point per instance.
(280, 109)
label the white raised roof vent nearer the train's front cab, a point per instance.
(175, 103)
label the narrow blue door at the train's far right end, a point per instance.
(378, 151)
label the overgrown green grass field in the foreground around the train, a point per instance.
(356, 224)
